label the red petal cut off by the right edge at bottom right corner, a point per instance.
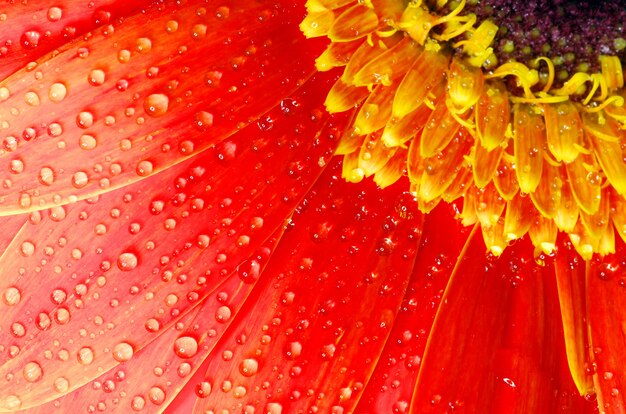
(607, 328)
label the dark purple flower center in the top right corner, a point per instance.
(573, 34)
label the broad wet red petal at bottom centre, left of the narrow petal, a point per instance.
(313, 329)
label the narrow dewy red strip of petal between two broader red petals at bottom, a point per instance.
(393, 381)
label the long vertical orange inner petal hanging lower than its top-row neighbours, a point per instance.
(529, 132)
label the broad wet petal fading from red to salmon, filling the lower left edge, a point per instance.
(112, 270)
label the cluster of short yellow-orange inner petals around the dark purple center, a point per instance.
(438, 95)
